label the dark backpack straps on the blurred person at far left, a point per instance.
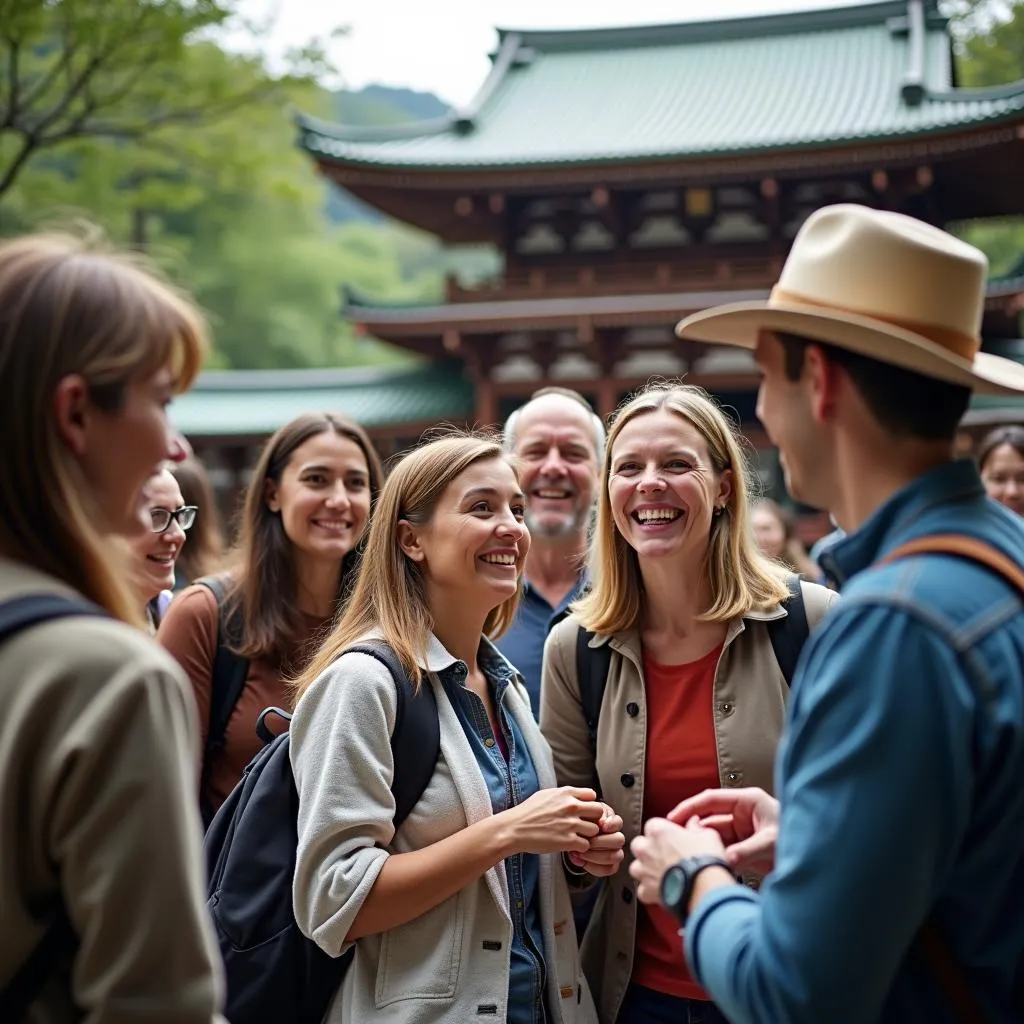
(21, 992)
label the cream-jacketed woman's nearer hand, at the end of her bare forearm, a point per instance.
(562, 821)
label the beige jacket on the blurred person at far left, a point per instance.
(98, 813)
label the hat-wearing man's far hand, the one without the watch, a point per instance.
(746, 820)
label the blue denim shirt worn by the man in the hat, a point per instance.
(902, 781)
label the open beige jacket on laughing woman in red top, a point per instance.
(750, 707)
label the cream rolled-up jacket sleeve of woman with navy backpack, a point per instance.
(344, 767)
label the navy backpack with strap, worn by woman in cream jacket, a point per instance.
(274, 973)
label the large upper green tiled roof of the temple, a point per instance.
(881, 71)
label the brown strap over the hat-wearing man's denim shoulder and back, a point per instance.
(931, 943)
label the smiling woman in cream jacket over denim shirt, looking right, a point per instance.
(462, 914)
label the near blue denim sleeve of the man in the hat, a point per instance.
(875, 783)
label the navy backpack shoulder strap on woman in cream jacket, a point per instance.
(416, 742)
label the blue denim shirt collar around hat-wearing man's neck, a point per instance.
(888, 525)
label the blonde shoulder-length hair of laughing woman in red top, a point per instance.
(742, 579)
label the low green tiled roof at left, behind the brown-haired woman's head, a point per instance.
(235, 404)
